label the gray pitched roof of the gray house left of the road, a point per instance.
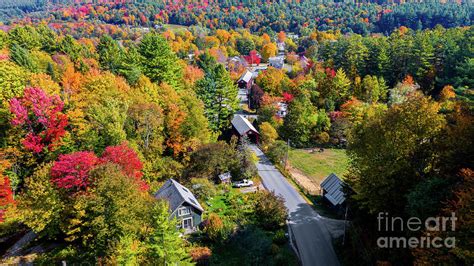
(177, 194)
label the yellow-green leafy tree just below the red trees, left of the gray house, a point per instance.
(115, 207)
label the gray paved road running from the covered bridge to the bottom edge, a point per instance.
(312, 237)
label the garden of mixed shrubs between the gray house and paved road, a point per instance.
(241, 229)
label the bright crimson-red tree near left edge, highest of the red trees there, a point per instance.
(40, 115)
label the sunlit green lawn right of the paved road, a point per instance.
(318, 165)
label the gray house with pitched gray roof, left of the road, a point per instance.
(183, 205)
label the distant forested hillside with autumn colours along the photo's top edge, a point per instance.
(257, 16)
